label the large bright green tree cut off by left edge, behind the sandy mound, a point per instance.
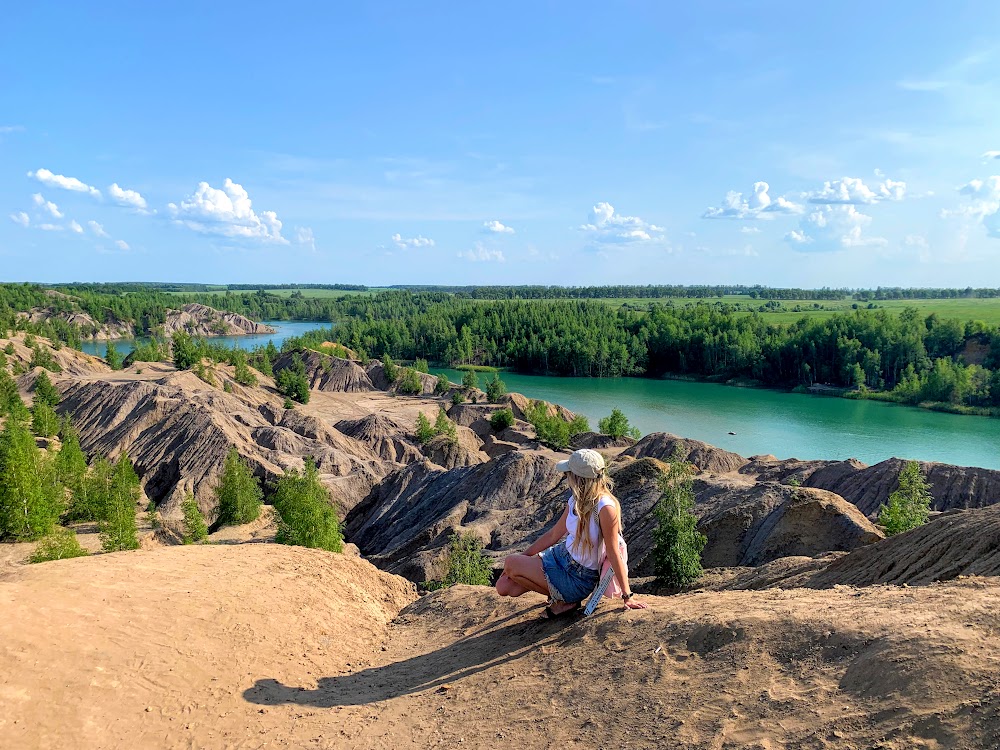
(28, 506)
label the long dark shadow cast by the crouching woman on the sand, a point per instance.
(488, 648)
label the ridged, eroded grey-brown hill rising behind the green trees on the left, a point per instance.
(177, 431)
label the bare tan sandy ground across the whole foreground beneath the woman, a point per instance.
(258, 645)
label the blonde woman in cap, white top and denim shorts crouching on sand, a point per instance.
(564, 562)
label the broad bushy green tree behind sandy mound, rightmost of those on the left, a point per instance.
(306, 517)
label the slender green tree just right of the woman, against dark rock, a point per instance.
(677, 543)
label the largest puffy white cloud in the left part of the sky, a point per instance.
(228, 213)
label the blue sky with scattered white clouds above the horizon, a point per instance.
(782, 143)
